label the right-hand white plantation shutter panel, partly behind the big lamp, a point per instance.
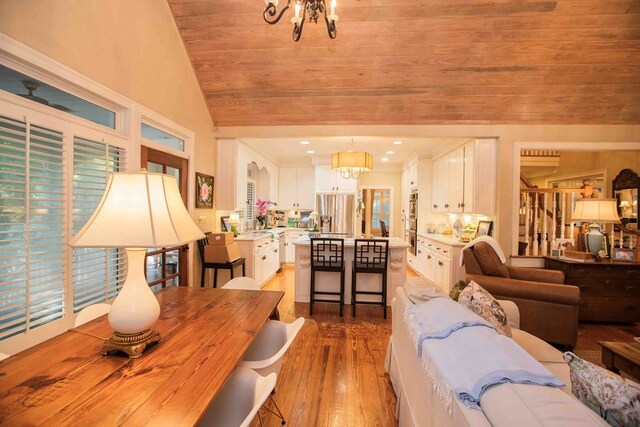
(98, 273)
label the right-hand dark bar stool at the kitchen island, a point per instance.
(370, 256)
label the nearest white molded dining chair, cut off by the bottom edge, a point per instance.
(240, 399)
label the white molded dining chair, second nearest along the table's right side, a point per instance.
(268, 348)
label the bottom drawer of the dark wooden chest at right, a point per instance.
(609, 309)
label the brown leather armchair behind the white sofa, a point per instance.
(548, 307)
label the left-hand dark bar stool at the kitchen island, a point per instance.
(327, 254)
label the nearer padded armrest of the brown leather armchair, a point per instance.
(525, 289)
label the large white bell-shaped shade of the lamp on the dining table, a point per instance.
(141, 210)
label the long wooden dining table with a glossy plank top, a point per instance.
(67, 381)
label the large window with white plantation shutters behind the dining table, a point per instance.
(38, 284)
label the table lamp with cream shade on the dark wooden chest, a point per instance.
(595, 210)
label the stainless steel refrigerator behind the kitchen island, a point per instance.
(336, 212)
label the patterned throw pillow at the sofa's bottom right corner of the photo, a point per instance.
(614, 398)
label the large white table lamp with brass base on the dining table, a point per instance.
(137, 211)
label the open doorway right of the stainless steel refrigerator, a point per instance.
(376, 220)
